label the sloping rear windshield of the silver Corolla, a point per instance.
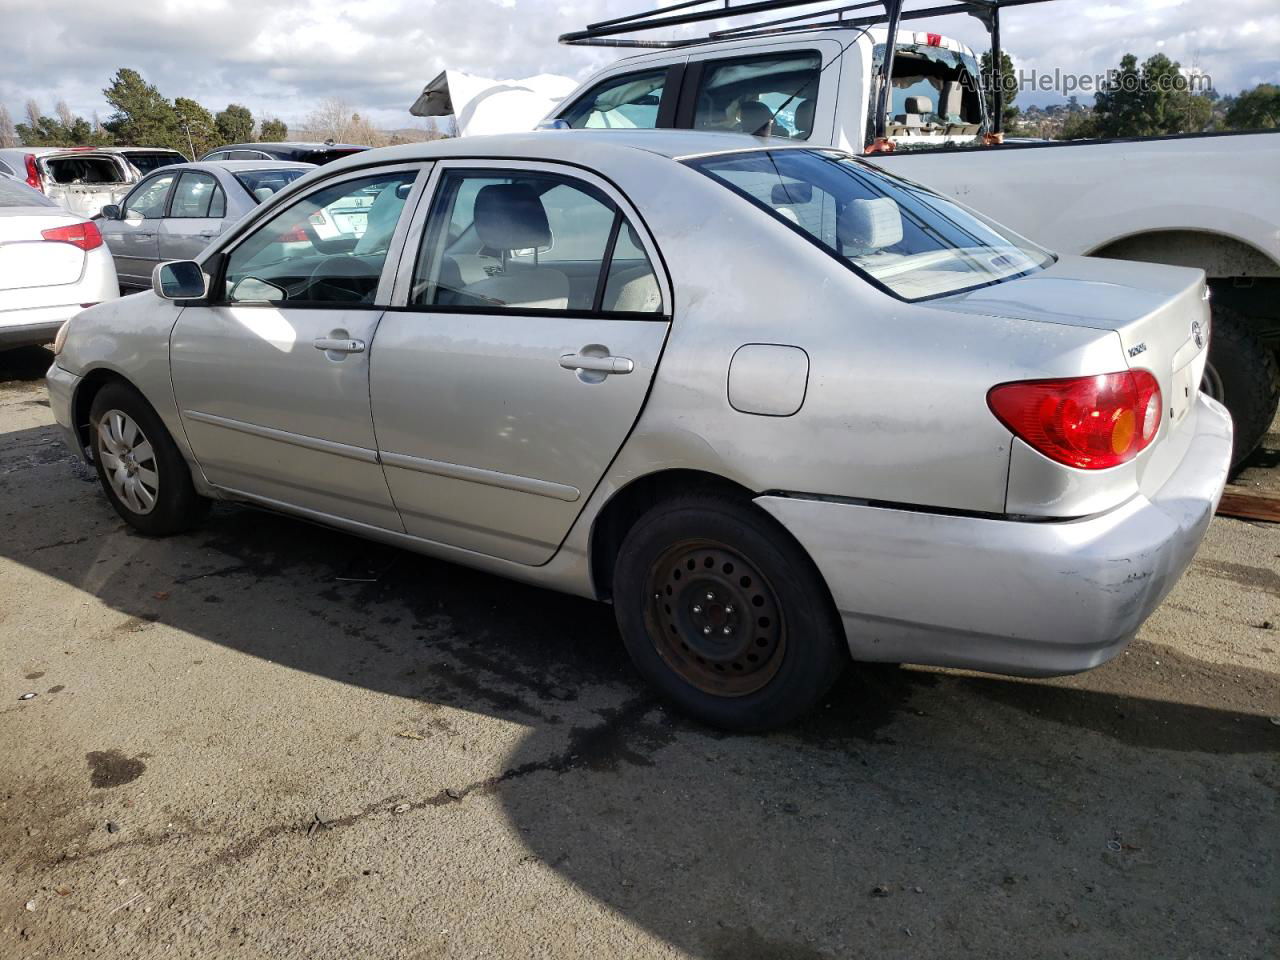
(907, 240)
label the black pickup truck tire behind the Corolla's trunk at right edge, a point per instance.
(1242, 376)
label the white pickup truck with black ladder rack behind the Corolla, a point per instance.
(1209, 202)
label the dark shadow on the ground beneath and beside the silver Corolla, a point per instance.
(916, 810)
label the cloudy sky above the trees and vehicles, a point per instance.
(282, 57)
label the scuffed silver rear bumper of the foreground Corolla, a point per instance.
(1007, 596)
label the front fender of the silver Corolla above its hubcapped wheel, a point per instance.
(131, 337)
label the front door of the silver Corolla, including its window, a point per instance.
(272, 376)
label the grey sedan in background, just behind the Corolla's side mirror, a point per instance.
(179, 211)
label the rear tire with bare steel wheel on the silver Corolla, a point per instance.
(725, 615)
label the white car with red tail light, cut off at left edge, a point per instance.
(53, 264)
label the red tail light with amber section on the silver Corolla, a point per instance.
(1085, 422)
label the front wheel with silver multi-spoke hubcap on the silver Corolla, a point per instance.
(141, 469)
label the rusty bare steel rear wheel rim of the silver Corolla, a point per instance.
(715, 619)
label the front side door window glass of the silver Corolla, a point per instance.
(328, 248)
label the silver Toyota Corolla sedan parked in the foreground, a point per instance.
(781, 409)
